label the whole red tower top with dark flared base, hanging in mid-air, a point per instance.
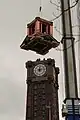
(39, 36)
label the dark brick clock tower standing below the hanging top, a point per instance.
(42, 90)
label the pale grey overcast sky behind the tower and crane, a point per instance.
(14, 16)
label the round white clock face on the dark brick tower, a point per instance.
(39, 70)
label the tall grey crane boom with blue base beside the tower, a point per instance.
(71, 105)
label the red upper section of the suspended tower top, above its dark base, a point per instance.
(39, 25)
